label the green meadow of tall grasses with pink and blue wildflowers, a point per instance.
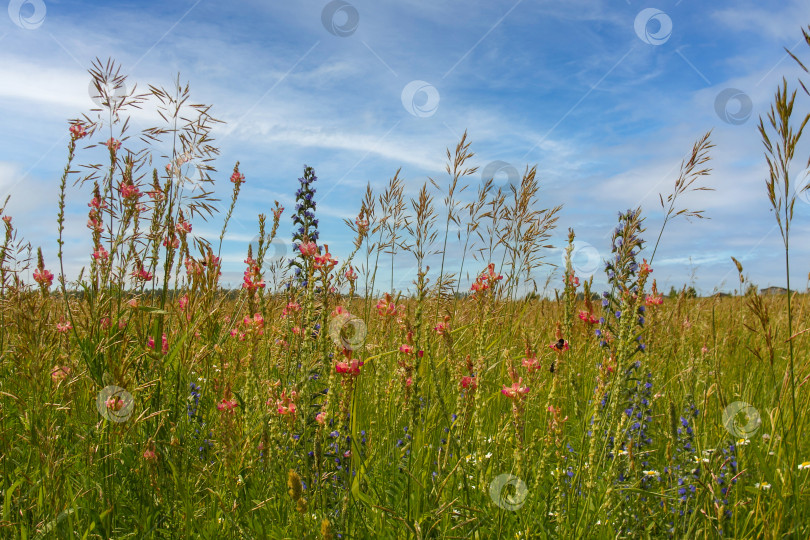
(142, 399)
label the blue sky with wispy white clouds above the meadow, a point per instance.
(605, 105)
